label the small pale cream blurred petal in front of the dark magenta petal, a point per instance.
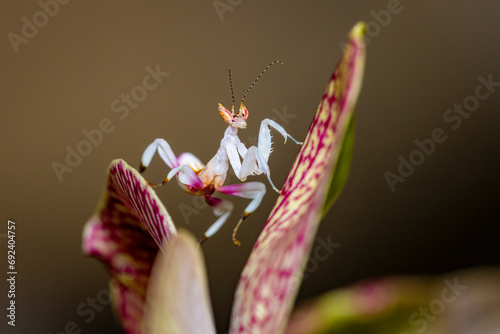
(178, 301)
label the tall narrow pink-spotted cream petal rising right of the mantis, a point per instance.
(271, 278)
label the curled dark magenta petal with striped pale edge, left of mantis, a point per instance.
(125, 233)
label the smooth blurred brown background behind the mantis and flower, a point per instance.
(64, 78)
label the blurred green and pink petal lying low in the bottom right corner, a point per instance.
(462, 302)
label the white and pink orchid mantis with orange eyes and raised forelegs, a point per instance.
(199, 179)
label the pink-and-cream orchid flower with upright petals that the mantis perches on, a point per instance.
(132, 228)
